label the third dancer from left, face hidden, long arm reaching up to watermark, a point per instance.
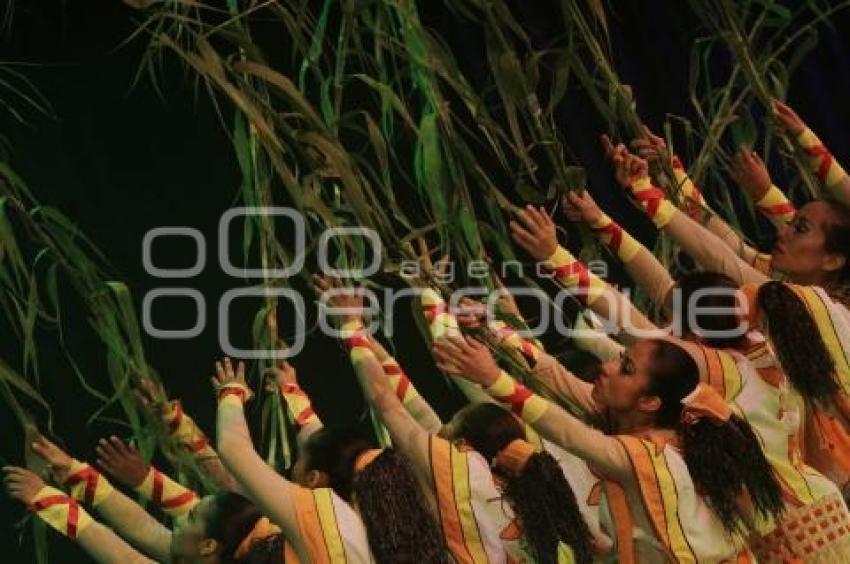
(478, 525)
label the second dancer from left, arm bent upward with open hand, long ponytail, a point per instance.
(351, 485)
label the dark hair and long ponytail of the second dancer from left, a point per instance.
(399, 524)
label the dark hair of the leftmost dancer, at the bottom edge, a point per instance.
(233, 518)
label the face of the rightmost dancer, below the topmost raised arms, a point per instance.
(800, 252)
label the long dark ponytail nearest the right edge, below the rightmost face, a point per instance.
(797, 342)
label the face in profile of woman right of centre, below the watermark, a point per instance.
(621, 385)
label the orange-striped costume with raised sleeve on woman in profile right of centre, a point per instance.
(647, 502)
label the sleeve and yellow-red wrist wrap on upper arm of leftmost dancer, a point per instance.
(127, 517)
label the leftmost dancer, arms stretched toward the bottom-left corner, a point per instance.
(223, 527)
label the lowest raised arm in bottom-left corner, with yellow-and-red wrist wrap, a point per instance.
(64, 514)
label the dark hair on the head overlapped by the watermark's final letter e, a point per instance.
(727, 324)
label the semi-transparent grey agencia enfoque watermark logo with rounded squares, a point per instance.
(378, 306)
